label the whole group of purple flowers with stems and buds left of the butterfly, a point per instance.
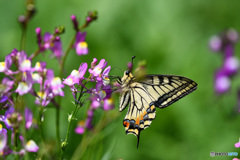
(22, 75)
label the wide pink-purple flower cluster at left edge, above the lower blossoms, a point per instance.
(26, 75)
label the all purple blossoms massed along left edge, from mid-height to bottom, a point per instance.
(20, 77)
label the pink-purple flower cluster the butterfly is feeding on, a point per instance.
(99, 95)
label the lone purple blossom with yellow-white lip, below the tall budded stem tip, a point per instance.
(80, 44)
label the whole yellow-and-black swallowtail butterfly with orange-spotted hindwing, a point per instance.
(144, 94)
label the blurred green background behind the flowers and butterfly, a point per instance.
(172, 37)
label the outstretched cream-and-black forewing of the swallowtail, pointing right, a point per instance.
(167, 89)
